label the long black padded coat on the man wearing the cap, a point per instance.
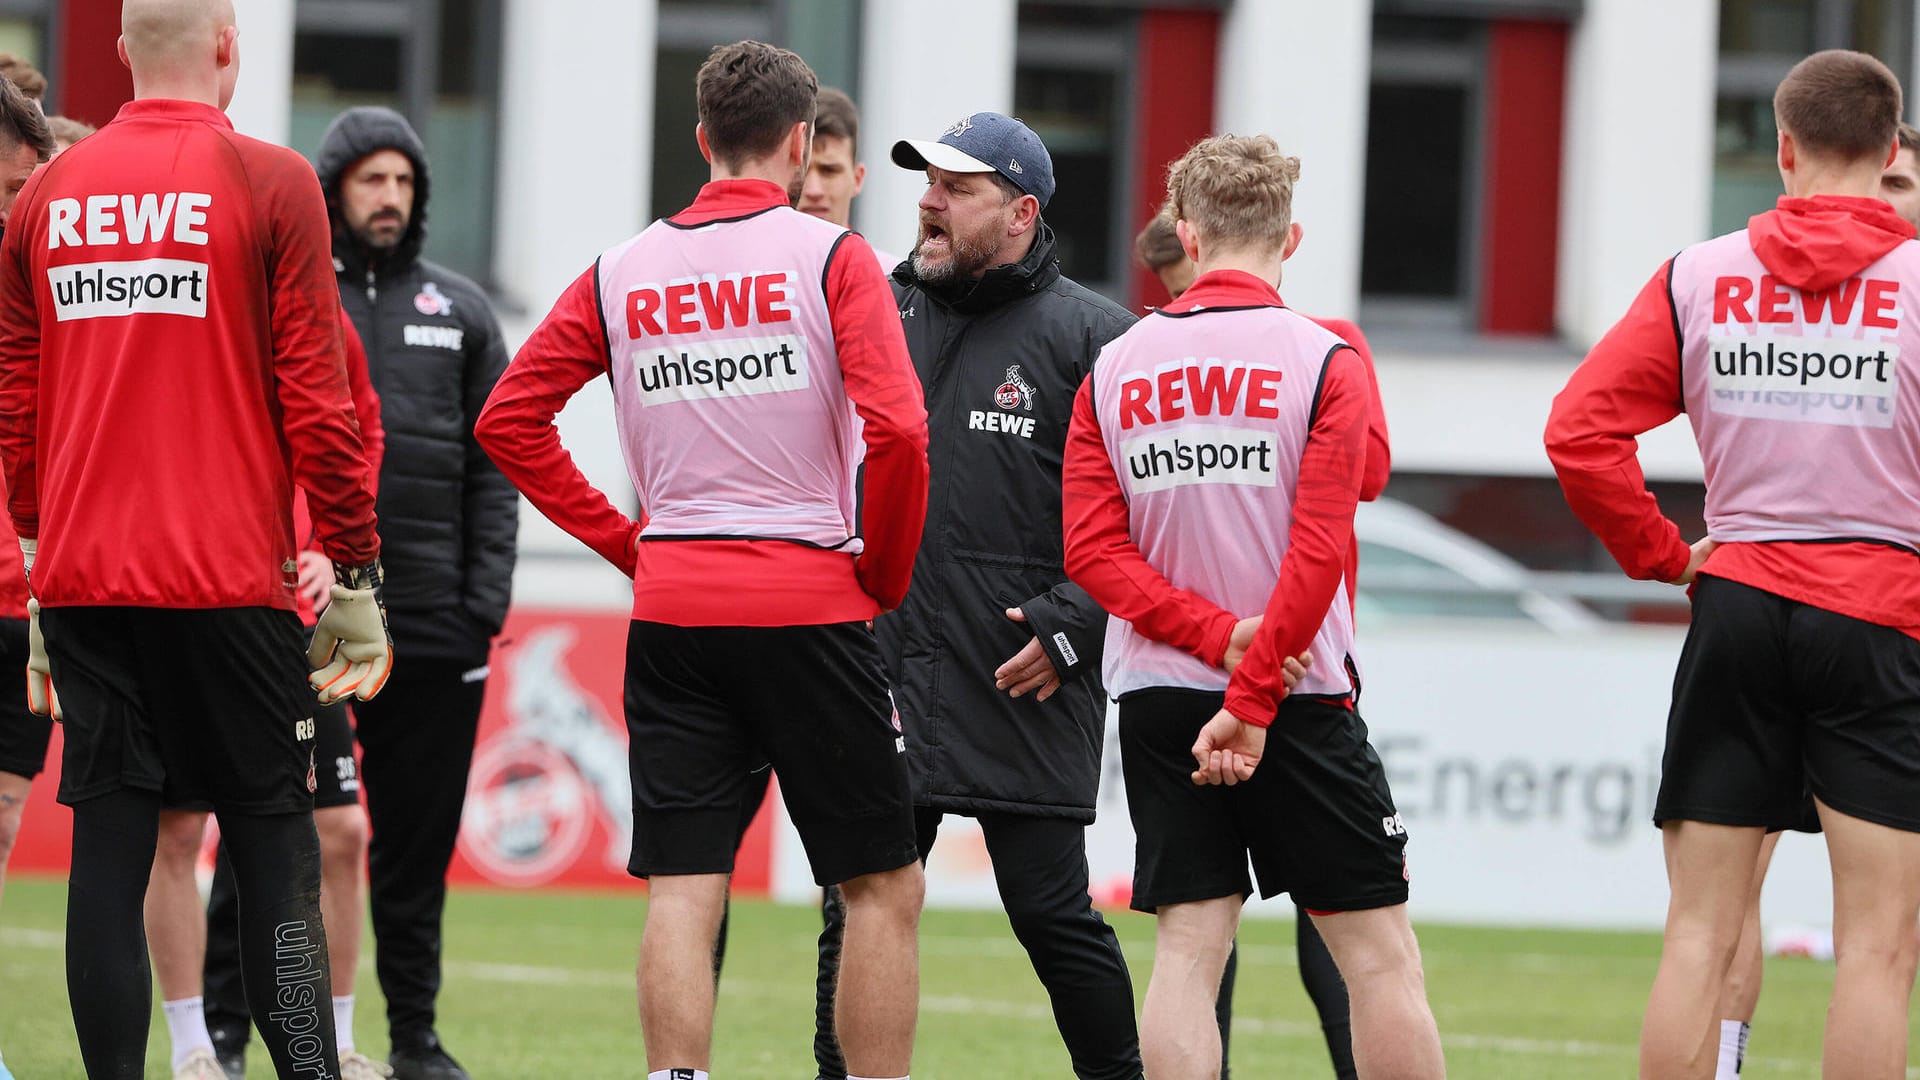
(1001, 362)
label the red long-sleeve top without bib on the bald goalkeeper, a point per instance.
(172, 368)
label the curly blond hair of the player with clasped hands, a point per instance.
(1236, 191)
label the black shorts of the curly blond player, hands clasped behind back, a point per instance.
(1318, 820)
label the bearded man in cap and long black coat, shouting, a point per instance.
(996, 658)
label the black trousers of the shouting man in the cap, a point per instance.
(1042, 870)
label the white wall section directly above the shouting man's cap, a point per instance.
(909, 95)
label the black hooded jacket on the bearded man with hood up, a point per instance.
(448, 518)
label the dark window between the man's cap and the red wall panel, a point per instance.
(1074, 87)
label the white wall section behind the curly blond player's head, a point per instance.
(1297, 70)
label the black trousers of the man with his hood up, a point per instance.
(418, 745)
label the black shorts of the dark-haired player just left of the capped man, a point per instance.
(706, 706)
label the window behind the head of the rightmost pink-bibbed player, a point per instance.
(1760, 43)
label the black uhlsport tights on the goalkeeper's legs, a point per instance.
(283, 946)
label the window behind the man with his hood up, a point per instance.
(439, 64)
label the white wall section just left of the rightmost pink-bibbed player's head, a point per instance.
(1639, 170)
